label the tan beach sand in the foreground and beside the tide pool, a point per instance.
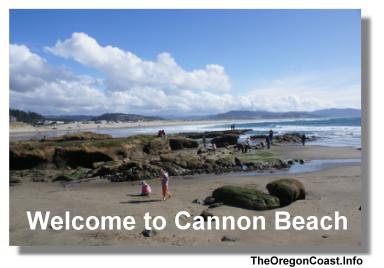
(330, 190)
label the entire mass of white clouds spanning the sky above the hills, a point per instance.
(158, 87)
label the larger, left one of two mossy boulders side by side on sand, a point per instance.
(248, 197)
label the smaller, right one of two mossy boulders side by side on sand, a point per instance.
(287, 190)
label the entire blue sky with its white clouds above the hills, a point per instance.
(183, 62)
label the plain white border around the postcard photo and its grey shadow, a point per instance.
(371, 9)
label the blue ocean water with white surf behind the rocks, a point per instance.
(330, 131)
